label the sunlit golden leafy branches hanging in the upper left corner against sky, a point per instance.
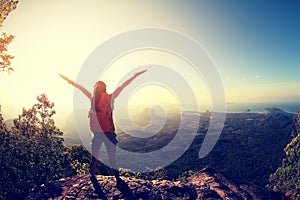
(6, 6)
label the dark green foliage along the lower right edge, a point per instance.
(287, 177)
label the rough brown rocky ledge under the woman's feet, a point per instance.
(206, 184)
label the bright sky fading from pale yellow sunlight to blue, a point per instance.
(255, 46)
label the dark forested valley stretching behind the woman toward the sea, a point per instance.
(250, 147)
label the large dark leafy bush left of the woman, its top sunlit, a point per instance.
(32, 151)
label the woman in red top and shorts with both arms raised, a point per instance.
(103, 129)
